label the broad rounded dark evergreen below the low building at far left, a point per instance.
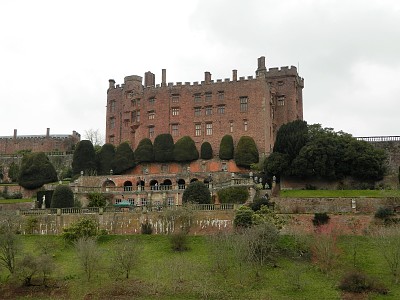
(36, 170)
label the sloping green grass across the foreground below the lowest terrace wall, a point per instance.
(161, 273)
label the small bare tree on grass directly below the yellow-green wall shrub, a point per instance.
(88, 255)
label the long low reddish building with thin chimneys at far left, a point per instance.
(38, 143)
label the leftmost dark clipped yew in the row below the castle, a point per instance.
(84, 158)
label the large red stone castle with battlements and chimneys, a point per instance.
(206, 111)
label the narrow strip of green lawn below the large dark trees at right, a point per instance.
(339, 193)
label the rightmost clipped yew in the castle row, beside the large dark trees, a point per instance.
(246, 152)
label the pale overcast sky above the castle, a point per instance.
(56, 56)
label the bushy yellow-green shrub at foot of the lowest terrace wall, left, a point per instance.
(83, 228)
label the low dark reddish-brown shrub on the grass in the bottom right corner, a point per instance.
(358, 282)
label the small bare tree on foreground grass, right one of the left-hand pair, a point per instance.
(125, 257)
